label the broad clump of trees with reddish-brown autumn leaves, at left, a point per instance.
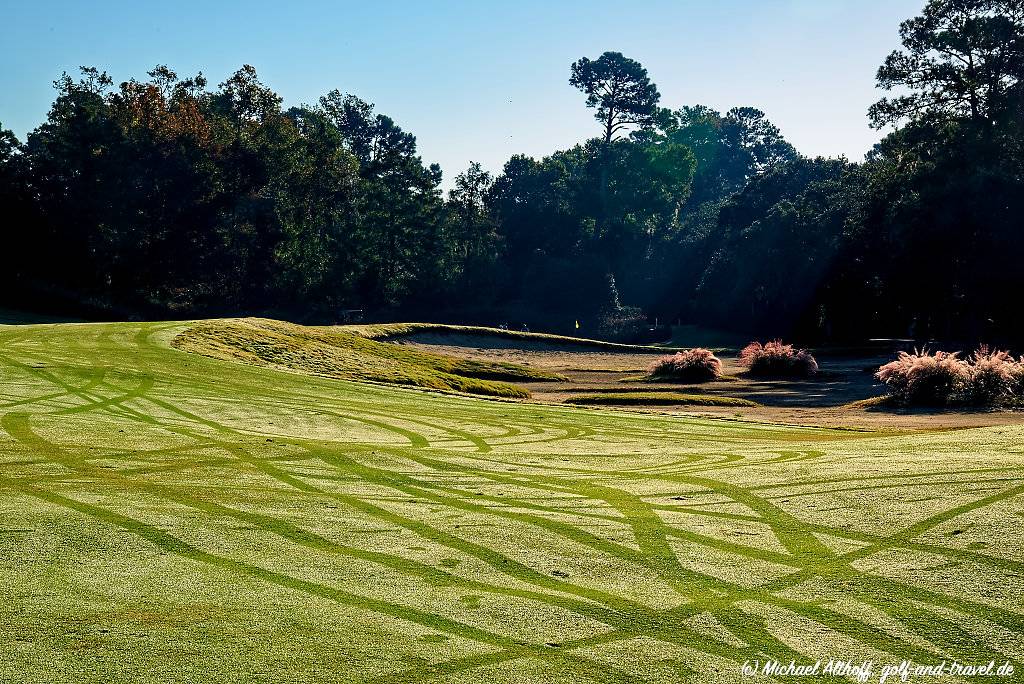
(163, 193)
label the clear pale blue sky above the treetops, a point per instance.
(481, 80)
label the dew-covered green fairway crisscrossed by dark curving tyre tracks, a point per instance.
(168, 517)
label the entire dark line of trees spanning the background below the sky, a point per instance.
(168, 197)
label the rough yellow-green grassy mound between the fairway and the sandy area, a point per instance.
(337, 354)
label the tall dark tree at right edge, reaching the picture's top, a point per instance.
(933, 250)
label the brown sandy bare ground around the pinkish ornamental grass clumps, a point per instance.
(825, 401)
